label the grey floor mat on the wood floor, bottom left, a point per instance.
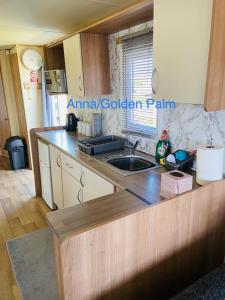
(33, 260)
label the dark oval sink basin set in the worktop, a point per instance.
(131, 163)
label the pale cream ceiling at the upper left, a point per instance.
(39, 22)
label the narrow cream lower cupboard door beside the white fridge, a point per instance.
(56, 171)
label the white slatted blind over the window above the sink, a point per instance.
(137, 70)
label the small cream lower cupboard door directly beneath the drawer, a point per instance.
(72, 190)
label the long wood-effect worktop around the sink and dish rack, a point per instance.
(145, 185)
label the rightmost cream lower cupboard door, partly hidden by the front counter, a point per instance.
(94, 186)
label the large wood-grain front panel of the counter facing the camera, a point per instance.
(150, 254)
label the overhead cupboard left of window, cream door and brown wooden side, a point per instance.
(87, 64)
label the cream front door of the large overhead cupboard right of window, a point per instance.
(180, 49)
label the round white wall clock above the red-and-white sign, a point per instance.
(32, 60)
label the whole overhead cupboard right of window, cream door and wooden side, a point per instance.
(189, 52)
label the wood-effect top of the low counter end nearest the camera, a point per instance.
(88, 215)
